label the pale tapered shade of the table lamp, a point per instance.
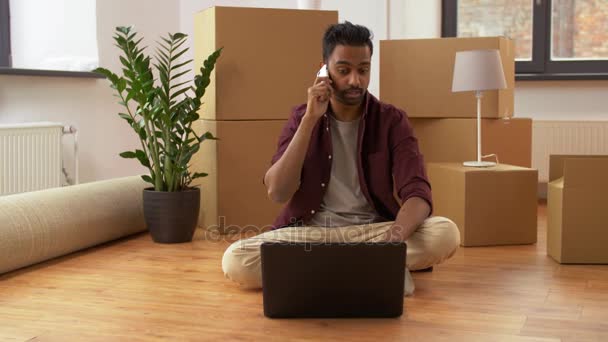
(478, 70)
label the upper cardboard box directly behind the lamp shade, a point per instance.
(416, 76)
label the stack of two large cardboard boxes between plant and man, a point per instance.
(257, 81)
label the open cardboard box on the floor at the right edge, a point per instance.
(576, 209)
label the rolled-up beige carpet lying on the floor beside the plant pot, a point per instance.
(41, 225)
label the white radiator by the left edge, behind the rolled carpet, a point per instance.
(30, 157)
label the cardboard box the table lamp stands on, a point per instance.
(491, 206)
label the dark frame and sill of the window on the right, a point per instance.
(541, 67)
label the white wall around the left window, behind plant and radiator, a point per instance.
(88, 103)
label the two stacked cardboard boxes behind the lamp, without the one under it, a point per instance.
(416, 76)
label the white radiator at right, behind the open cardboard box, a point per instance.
(566, 137)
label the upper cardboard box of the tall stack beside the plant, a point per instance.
(270, 58)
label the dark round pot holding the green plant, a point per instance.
(171, 217)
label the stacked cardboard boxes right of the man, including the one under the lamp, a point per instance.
(491, 206)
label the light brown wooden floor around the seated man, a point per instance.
(137, 290)
